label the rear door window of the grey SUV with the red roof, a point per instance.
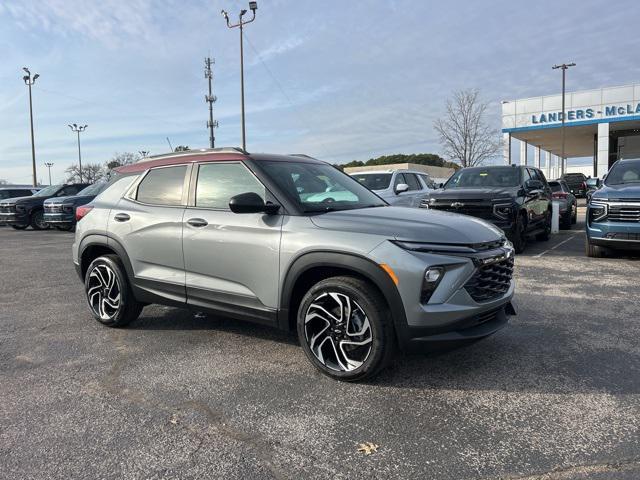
(162, 186)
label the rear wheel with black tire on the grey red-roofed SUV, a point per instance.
(98, 276)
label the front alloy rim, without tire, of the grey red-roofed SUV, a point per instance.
(338, 332)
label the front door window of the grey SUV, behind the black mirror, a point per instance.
(218, 182)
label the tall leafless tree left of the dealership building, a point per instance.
(464, 133)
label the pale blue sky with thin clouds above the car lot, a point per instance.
(339, 80)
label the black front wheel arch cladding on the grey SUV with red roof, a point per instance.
(311, 267)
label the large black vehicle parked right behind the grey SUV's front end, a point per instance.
(515, 198)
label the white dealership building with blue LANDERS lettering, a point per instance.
(603, 124)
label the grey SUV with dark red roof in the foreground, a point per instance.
(291, 242)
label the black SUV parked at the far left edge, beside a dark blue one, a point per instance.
(22, 212)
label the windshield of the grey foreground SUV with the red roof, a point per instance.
(319, 187)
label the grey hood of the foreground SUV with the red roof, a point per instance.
(411, 224)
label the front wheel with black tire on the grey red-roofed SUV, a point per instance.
(365, 303)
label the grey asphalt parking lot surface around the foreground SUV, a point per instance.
(556, 394)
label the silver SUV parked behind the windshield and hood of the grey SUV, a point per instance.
(402, 188)
